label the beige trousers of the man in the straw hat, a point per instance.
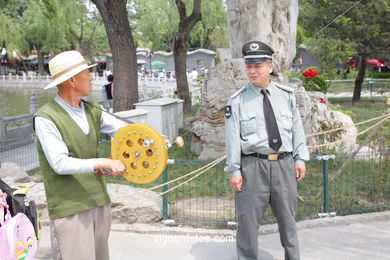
(83, 236)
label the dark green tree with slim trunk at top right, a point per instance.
(364, 26)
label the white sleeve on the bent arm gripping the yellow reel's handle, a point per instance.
(56, 151)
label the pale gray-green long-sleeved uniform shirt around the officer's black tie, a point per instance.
(245, 129)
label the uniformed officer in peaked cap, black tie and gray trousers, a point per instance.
(266, 150)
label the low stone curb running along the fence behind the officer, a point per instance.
(159, 228)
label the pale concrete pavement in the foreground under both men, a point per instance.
(357, 237)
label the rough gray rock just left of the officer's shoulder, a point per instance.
(208, 126)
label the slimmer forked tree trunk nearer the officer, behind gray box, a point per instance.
(180, 48)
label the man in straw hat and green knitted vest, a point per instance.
(68, 130)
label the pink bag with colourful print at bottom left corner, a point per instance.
(17, 235)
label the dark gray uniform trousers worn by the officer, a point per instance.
(266, 182)
